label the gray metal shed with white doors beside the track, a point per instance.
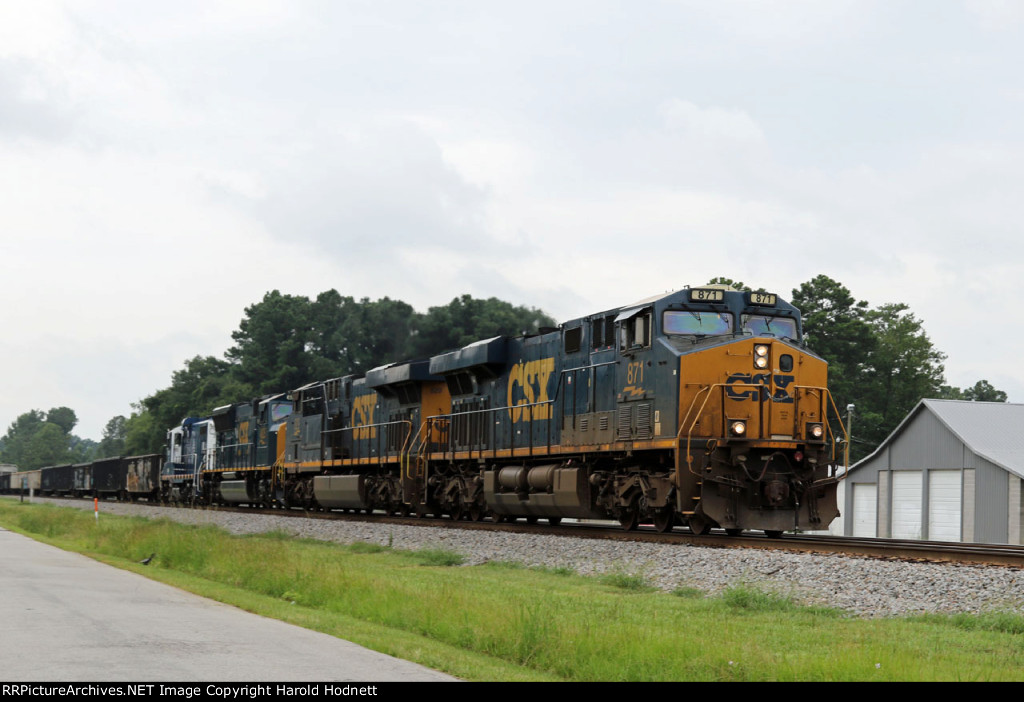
(952, 471)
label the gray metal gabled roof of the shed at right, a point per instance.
(993, 430)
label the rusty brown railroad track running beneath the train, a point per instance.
(903, 550)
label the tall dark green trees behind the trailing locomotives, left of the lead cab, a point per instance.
(285, 342)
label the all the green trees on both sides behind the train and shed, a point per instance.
(881, 361)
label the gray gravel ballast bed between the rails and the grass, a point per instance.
(861, 586)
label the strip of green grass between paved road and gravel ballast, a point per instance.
(503, 622)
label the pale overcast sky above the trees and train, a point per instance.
(164, 165)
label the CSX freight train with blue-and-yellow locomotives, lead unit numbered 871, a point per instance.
(699, 408)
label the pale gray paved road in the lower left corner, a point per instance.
(65, 618)
